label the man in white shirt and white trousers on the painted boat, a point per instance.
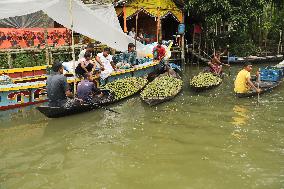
(105, 60)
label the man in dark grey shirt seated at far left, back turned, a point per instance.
(57, 87)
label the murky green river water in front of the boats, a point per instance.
(211, 140)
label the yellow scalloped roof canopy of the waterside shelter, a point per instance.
(152, 8)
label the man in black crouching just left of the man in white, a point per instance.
(85, 65)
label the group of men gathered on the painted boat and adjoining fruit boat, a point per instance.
(100, 65)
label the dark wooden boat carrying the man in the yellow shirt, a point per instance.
(265, 86)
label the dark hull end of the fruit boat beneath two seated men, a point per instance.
(75, 107)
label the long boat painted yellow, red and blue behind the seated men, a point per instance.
(20, 93)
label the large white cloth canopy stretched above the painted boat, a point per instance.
(86, 21)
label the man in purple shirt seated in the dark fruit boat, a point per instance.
(87, 88)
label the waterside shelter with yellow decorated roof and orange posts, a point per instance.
(157, 18)
